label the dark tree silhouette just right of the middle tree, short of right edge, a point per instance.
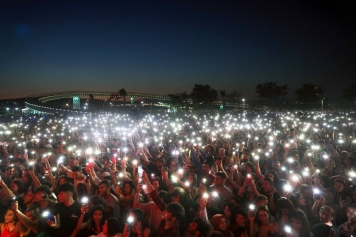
(310, 93)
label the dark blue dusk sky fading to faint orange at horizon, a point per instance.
(167, 46)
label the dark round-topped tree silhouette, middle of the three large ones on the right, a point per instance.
(269, 91)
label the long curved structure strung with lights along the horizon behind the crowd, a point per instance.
(37, 103)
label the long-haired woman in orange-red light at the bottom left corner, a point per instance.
(12, 226)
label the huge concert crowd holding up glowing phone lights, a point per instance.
(257, 174)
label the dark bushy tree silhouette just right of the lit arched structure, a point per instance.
(204, 94)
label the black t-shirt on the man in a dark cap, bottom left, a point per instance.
(68, 217)
